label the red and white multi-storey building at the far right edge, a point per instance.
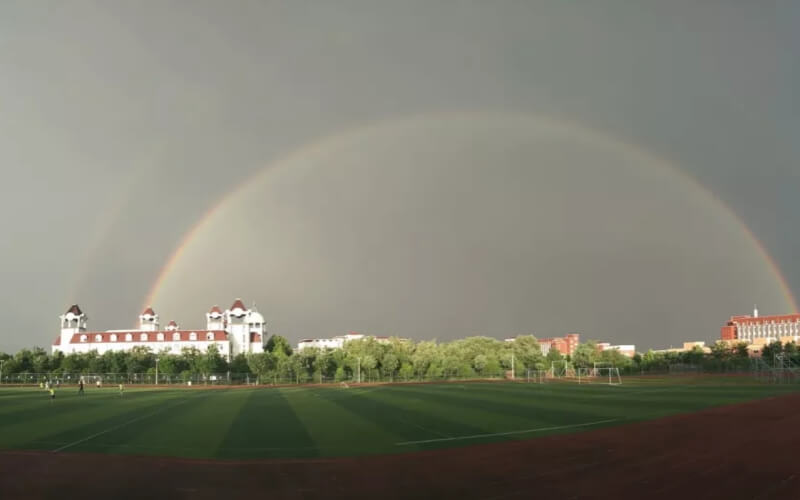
(757, 329)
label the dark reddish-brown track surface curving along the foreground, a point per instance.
(745, 451)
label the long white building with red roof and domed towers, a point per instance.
(234, 331)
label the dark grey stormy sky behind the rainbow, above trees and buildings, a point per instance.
(121, 124)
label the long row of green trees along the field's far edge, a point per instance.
(369, 360)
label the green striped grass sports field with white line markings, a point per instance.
(314, 422)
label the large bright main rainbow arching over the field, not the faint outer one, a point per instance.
(579, 130)
